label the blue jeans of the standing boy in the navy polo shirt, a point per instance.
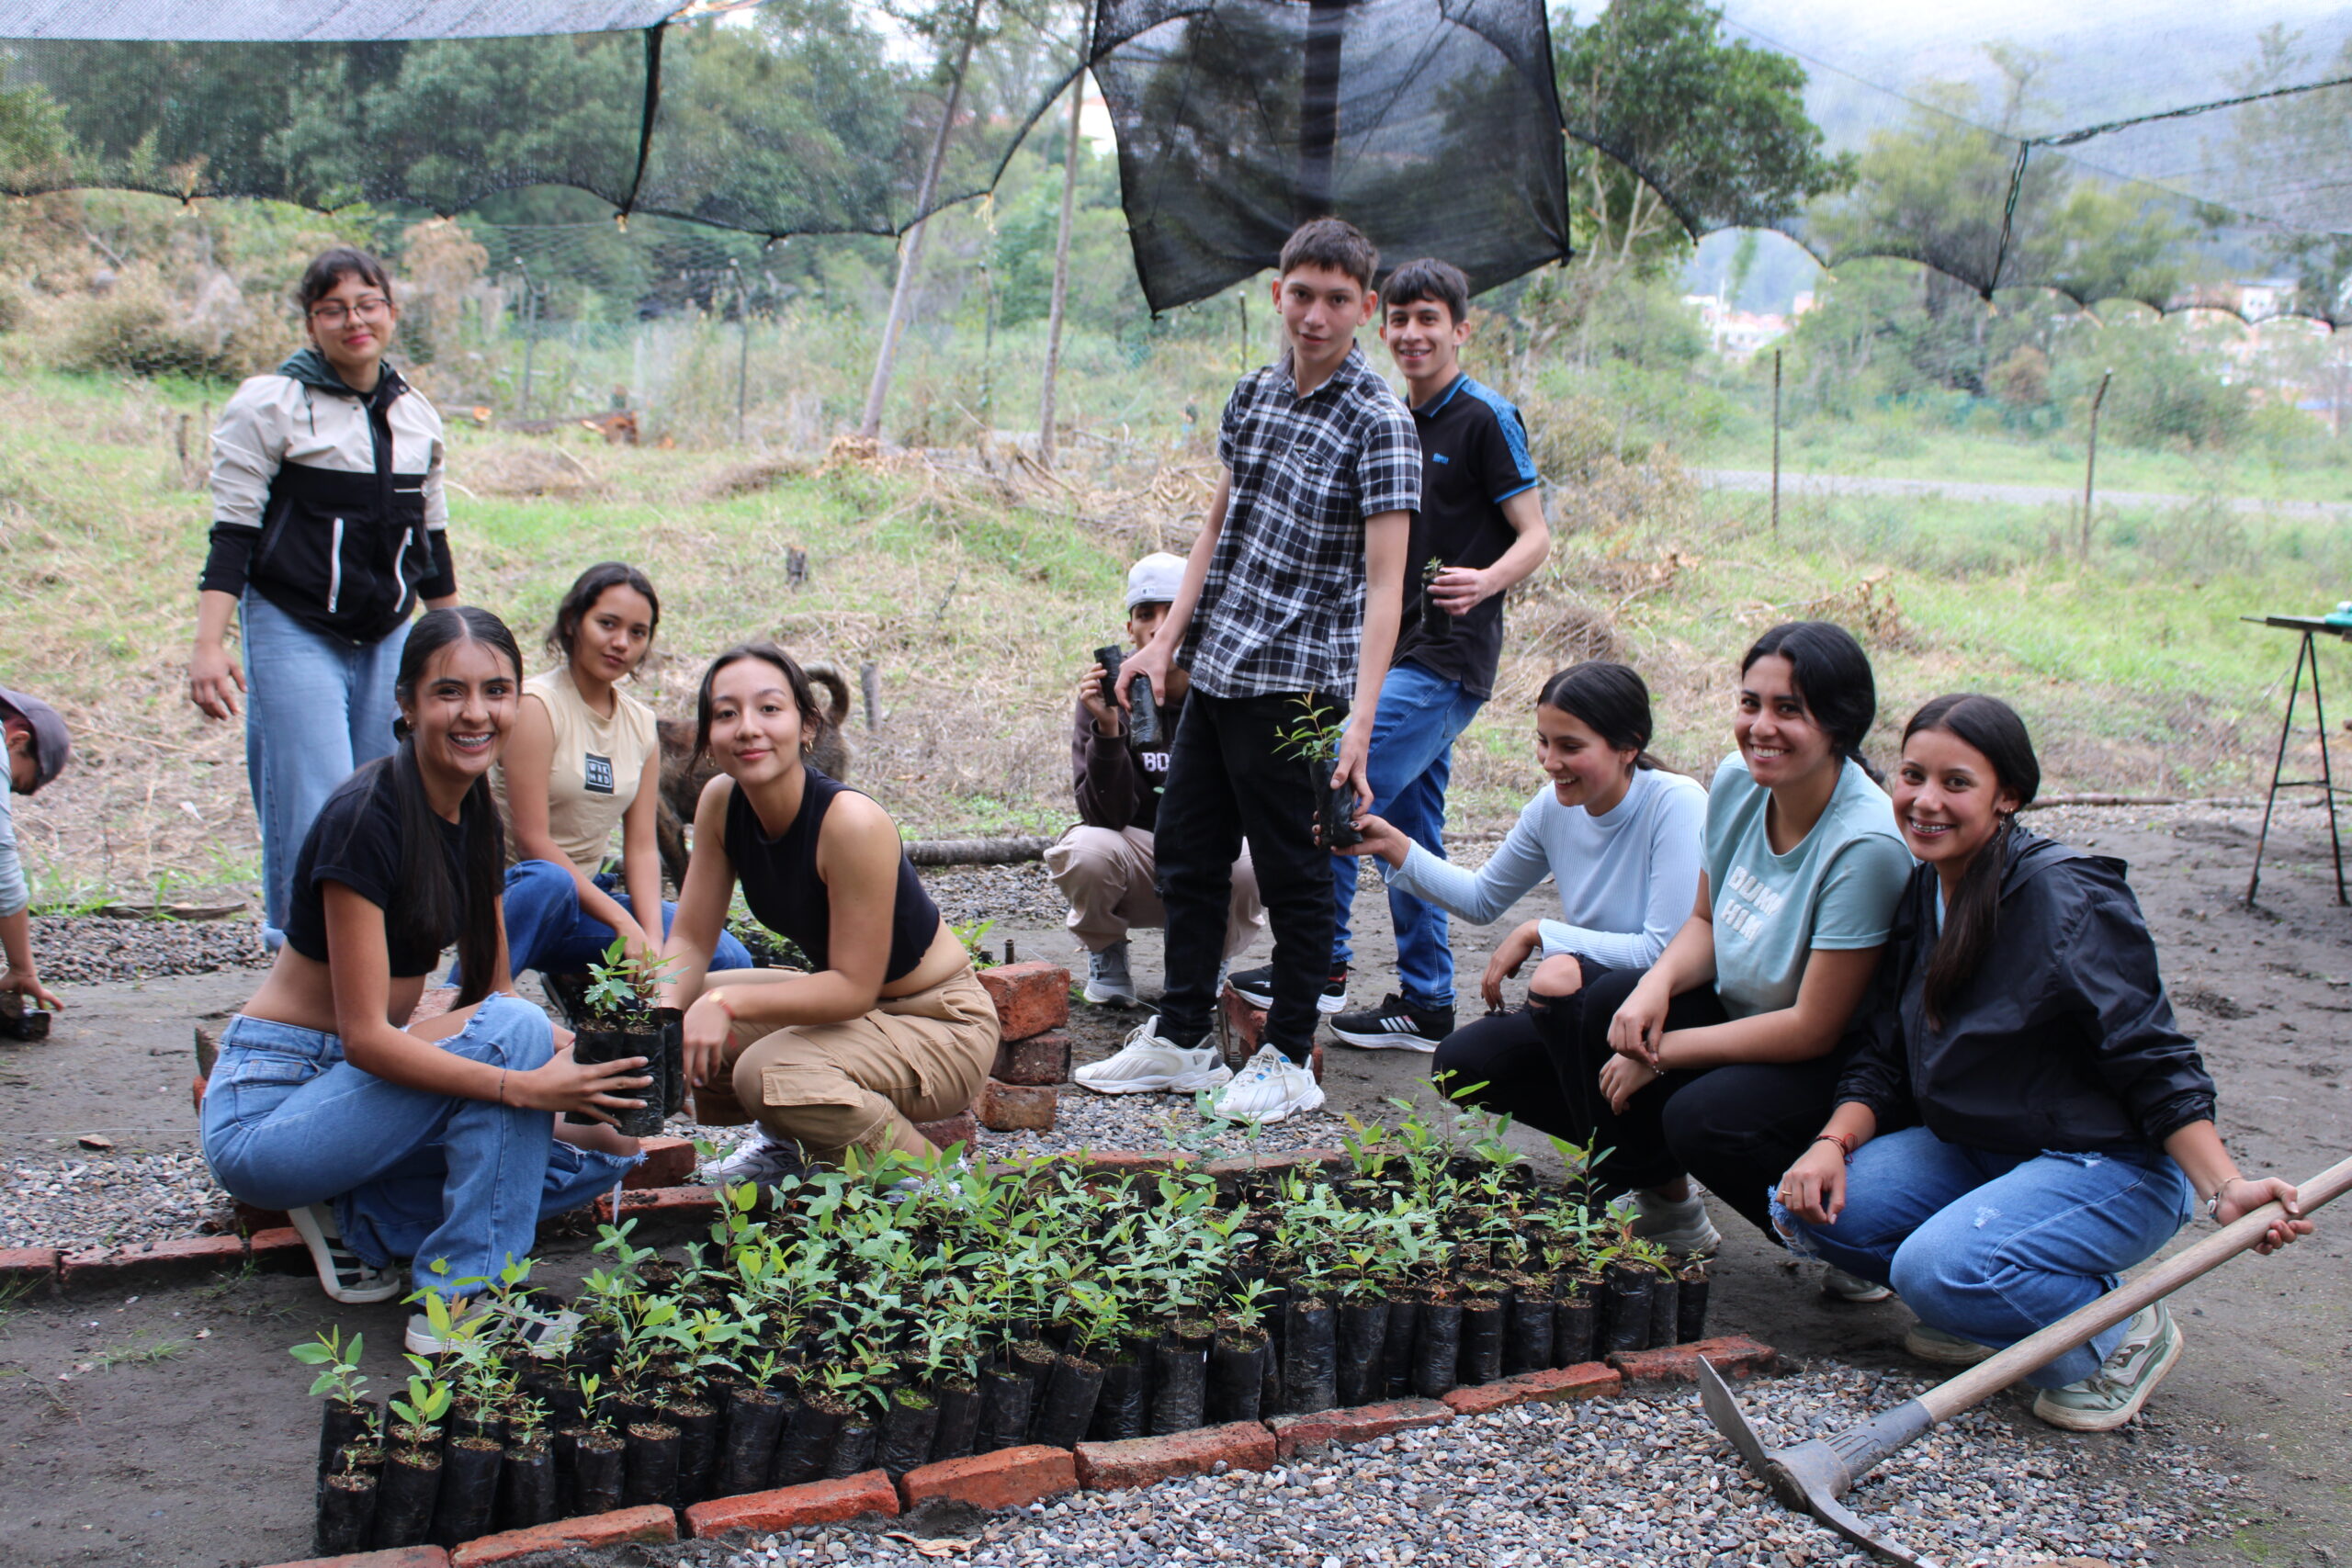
(1412, 758)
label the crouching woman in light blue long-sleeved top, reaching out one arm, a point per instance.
(1622, 843)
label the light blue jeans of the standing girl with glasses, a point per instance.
(314, 711)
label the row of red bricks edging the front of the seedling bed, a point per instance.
(1020, 1477)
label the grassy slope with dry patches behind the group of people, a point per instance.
(980, 605)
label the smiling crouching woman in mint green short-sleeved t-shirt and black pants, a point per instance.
(1723, 1057)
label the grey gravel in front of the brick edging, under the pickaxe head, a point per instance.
(1617, 1485)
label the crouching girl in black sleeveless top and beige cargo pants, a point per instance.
(890, 1024)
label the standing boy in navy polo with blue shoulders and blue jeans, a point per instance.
(1483, 521)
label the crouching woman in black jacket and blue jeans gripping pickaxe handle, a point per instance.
(2057, 1127)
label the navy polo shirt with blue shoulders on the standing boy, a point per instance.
(1474, 460)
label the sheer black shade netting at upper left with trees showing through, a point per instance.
(801, 116)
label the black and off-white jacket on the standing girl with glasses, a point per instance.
(330, 504)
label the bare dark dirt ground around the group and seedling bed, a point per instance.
(171, 1428)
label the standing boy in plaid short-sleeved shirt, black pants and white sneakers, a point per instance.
(1290, 596)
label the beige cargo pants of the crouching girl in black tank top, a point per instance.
(867, 1083)
